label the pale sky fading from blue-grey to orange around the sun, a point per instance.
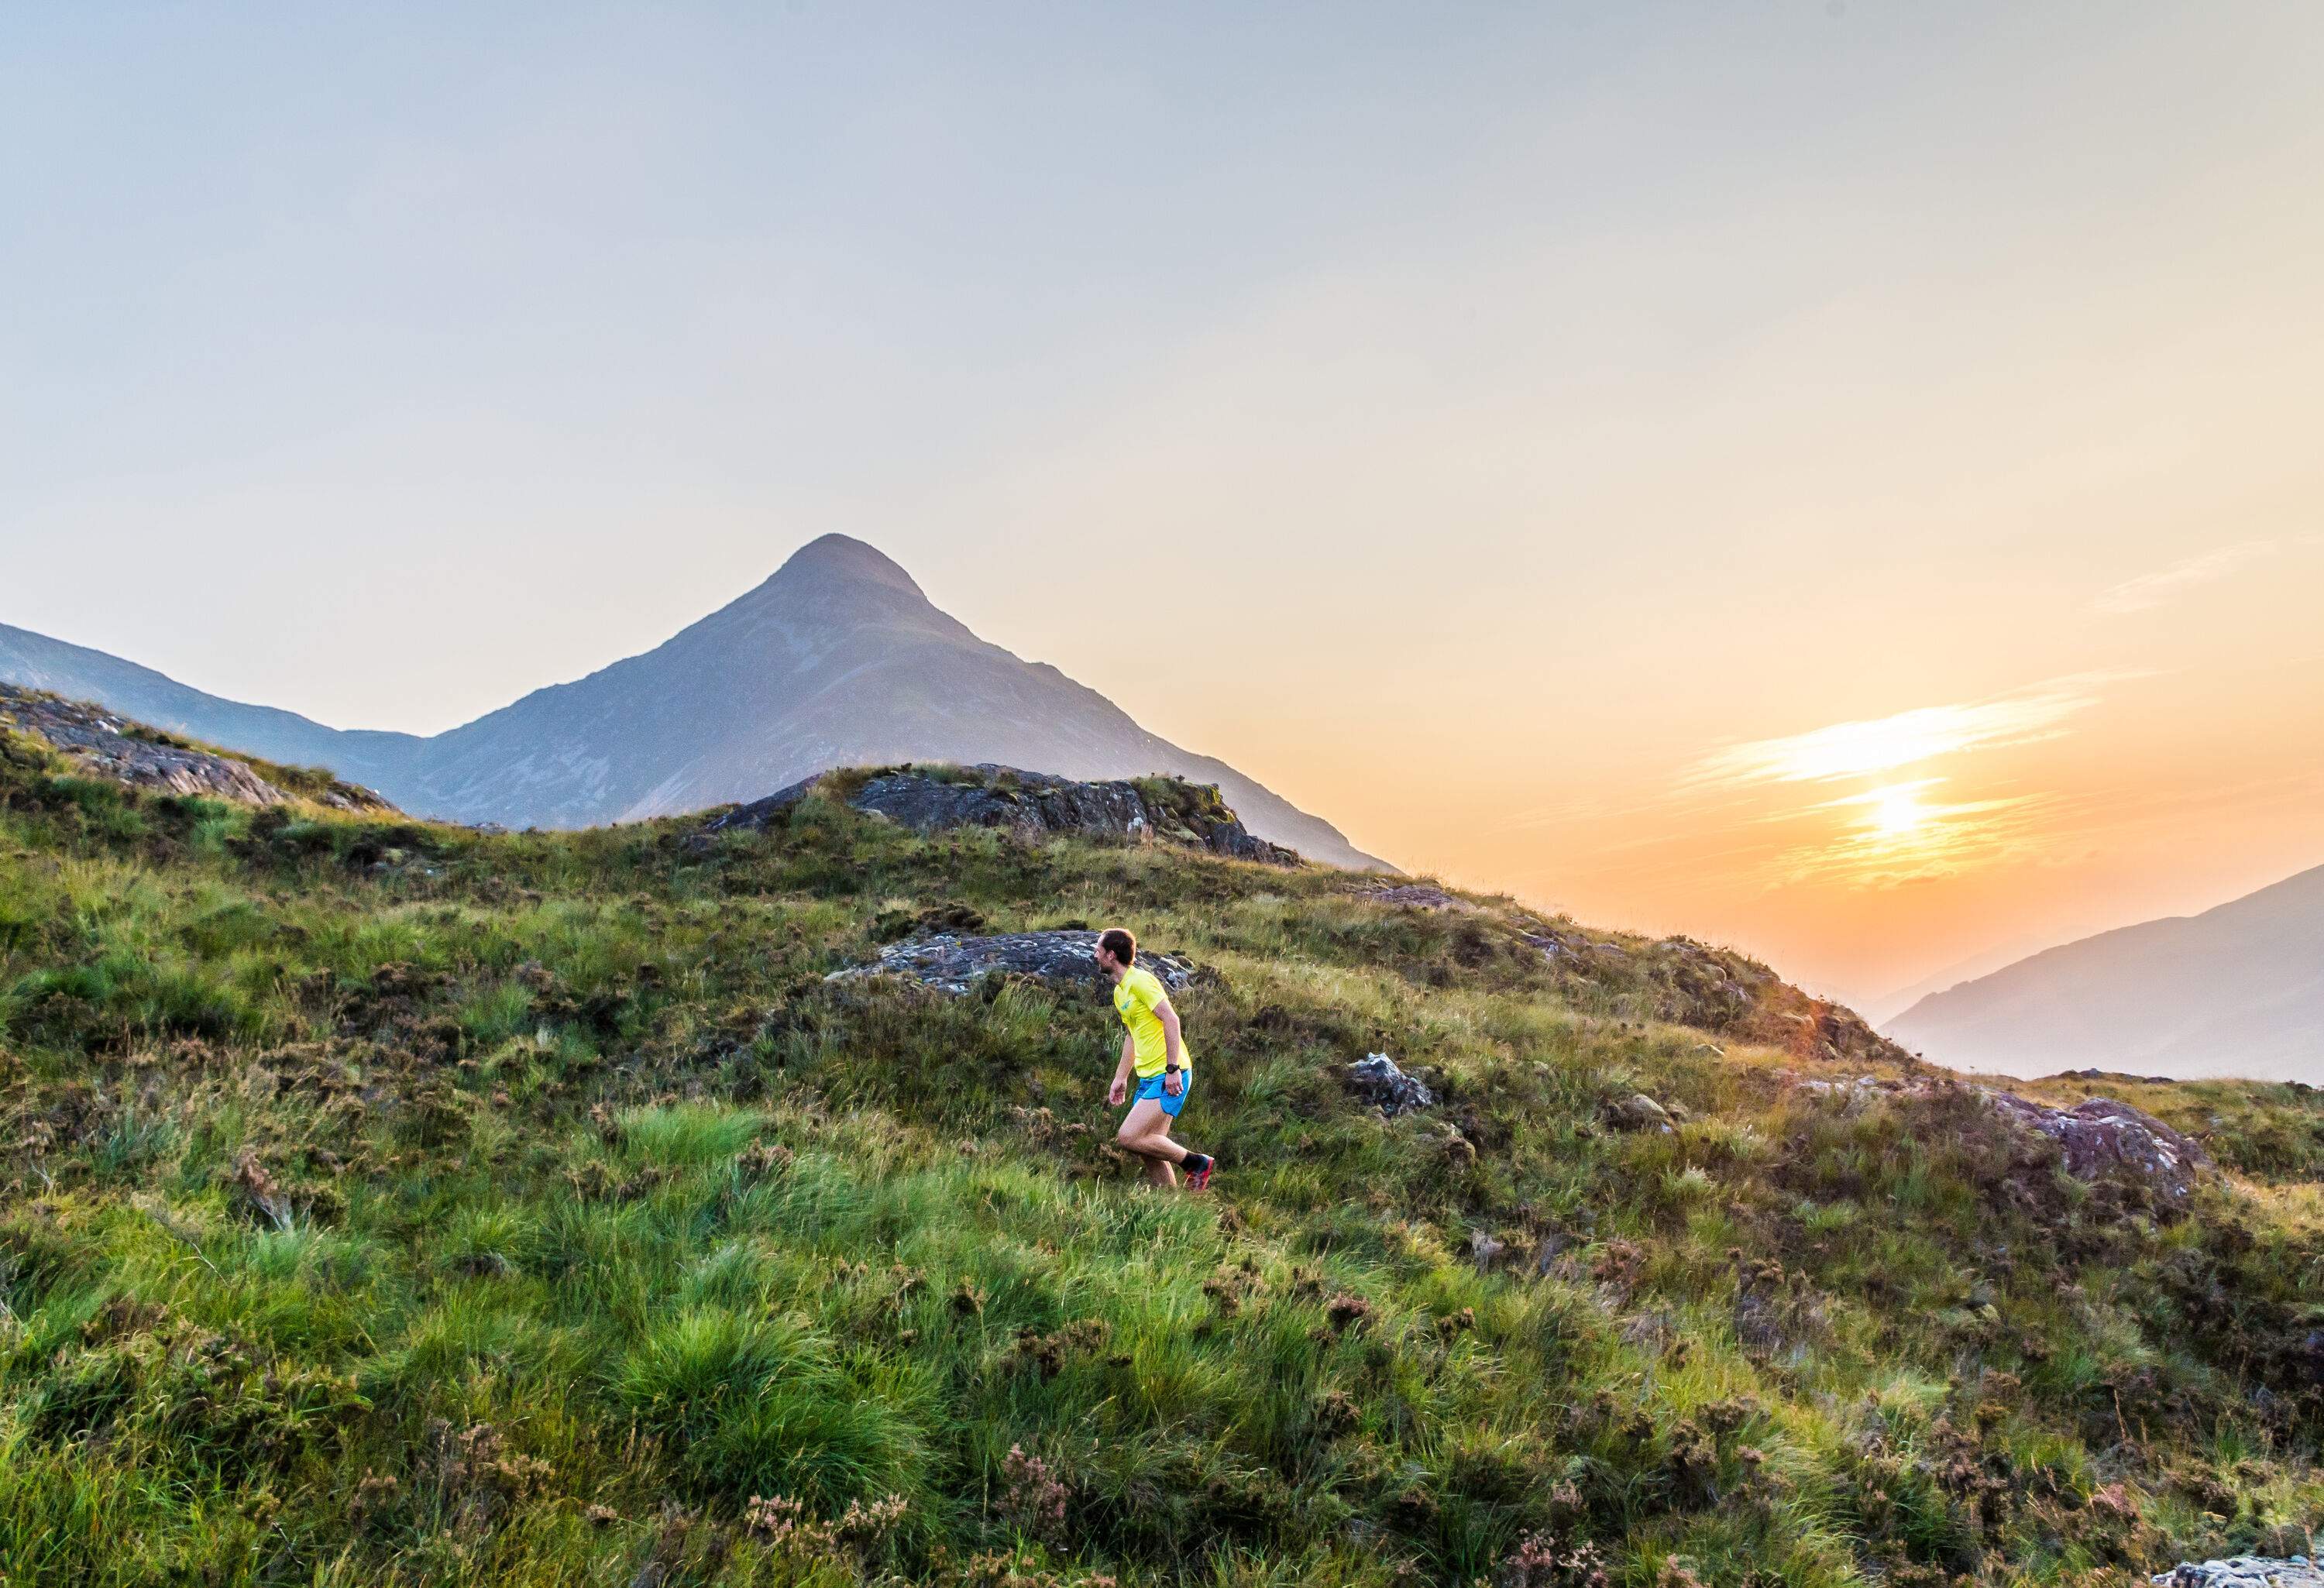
(1837, 480)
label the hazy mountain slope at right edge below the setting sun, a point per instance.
(2235, 992)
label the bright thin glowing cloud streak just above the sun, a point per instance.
(1907, 738)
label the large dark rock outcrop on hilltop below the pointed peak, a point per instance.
(1031, 806)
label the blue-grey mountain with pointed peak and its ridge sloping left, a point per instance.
(838, 659)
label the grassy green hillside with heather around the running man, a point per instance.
(406, 1206)
